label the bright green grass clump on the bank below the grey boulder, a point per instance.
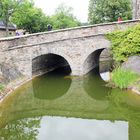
(123, 78)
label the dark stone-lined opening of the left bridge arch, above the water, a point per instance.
(49, 62)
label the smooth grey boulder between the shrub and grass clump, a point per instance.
(133, 63)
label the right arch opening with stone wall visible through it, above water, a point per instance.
(100, 59)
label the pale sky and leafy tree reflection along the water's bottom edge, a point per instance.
(61, 128)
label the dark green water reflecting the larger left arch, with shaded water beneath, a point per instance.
(52, 85)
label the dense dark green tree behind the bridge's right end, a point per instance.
(101, 11)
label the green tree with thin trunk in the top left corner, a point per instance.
(7, 8)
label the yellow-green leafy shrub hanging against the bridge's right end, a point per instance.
(125, 43)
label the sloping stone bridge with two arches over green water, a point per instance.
(25, 56)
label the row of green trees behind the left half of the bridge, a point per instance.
(26, 16)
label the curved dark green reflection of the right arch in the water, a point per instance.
(94, 85)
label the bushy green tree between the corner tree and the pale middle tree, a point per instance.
(30, 18)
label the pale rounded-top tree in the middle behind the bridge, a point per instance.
(63, 18)
